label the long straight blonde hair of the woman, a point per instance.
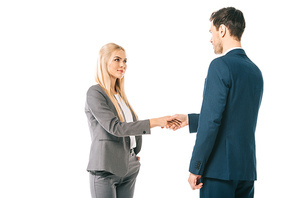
(103, 78)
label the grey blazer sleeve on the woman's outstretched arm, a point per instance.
(98, 106)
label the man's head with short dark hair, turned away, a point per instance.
(227, 27)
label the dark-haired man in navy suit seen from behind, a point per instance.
(224, 158)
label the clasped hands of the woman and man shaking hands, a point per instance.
(170, 122)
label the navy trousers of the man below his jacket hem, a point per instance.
(215, 188)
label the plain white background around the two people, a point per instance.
(48, 56)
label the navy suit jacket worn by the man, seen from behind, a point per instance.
(225, 140)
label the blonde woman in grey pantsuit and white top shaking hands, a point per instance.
(115, 130)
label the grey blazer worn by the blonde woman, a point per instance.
(110, 147)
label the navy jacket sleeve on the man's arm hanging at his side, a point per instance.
(214, 101)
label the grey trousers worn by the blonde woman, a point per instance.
(107, 185)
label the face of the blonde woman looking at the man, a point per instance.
(117, 64)
